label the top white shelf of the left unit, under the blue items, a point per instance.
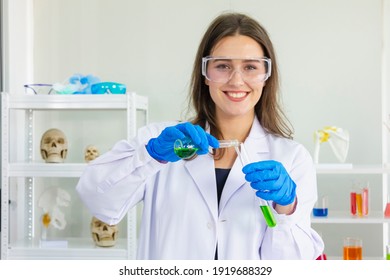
(82, 101)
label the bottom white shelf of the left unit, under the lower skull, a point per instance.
(79, 248)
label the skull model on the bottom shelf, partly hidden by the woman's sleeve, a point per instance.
(103, 234)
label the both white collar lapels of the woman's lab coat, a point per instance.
(202, 170)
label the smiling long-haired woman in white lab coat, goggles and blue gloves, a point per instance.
(207, 207)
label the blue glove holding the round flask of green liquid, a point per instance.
(161, 148)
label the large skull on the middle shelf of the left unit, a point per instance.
(54, 146)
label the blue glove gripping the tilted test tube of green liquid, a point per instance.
(271, 181)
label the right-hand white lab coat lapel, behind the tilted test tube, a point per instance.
(257, 148)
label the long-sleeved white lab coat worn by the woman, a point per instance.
(181, 218)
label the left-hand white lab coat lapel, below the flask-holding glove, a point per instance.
(202, 170)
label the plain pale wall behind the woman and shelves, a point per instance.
(329, 55)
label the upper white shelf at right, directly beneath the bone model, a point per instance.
(351, 169)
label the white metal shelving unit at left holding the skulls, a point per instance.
(23, 171)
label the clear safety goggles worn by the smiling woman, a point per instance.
(221, 69)
